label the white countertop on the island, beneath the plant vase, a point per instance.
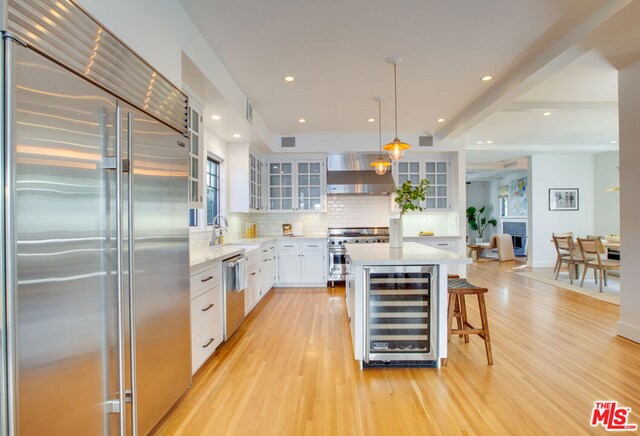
(411, 253)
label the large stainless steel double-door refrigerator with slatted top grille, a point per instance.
(96, 261)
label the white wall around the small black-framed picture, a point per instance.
(558, 171)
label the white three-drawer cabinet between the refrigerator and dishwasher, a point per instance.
(206, 313)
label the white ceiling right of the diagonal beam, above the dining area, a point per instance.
(582, 99)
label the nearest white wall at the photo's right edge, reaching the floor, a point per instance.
(629, 106)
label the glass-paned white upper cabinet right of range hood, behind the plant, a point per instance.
(435, 171)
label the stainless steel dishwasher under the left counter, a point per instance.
(234, 284)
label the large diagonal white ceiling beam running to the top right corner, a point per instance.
(531, 71)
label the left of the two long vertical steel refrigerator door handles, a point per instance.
(120, 274)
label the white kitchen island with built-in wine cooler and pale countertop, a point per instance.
(397, 303)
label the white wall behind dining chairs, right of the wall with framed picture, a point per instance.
(607, 210)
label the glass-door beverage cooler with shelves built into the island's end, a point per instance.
(400, 317)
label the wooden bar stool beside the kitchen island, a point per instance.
(458, 289)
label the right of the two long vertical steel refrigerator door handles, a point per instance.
(132, 310)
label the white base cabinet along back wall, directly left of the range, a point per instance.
(302, 263)
